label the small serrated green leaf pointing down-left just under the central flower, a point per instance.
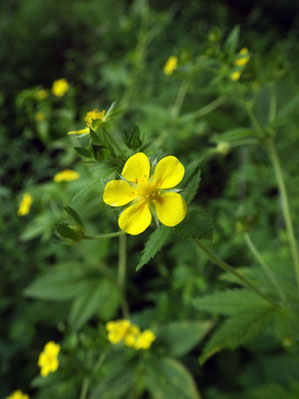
(155, 242)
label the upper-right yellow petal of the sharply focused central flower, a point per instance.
(169, 172)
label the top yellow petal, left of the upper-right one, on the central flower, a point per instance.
(137, 168)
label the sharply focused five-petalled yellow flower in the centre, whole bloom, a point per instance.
(147, 193)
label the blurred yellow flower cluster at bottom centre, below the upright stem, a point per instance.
(130, 334)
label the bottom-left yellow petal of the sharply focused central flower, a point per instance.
(135, 219)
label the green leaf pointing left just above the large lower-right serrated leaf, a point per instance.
(228, 302)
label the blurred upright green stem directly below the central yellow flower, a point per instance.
(122, 264)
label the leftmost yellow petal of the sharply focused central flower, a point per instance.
(118, 193)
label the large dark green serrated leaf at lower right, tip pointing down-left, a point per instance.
(238, 329)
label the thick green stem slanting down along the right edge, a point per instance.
(285, 207)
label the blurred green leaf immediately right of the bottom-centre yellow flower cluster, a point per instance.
(180, 337)
